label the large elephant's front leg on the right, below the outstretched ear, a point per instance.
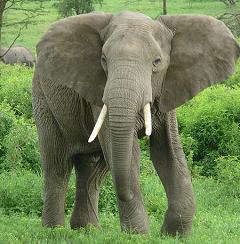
(169, 161)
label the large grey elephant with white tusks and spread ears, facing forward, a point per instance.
(103, 81)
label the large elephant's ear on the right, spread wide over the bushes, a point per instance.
(203, 52)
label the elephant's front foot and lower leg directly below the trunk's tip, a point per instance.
(133, 217)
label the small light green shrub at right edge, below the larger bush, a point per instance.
(228, 173)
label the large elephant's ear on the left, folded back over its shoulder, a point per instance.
(70, 55)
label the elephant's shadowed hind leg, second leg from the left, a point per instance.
(90, 170)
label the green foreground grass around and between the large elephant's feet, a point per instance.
(217, 217)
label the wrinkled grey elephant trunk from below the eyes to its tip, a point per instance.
(125, 97)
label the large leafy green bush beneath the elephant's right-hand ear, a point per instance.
(211, 121)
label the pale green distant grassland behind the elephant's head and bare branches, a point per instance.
(33, 33)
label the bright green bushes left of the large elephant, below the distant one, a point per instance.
(18, 137)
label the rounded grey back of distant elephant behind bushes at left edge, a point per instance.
(17, 55)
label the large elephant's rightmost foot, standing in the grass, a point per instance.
(176, 224)
